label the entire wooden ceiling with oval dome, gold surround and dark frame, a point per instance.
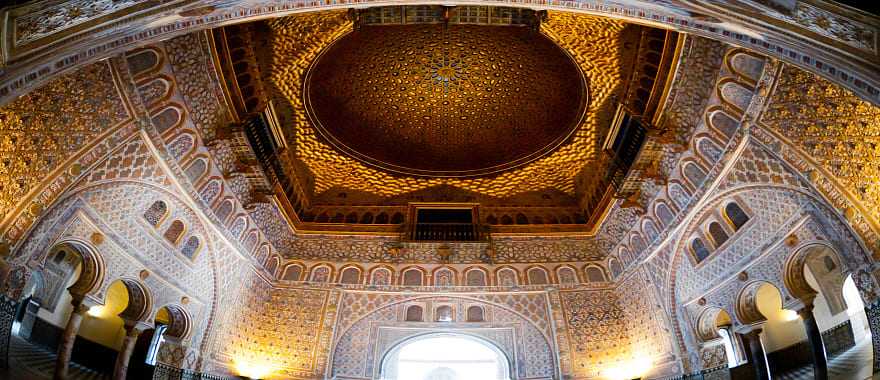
(378, 108)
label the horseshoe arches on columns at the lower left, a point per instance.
(70, 283)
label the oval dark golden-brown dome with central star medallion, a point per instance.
(455, 101)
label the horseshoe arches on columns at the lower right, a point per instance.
(819, 303)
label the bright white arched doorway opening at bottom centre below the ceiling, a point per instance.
(445, 356)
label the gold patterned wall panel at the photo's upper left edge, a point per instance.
(41, 131)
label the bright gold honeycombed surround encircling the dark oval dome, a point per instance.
(602, 48)
